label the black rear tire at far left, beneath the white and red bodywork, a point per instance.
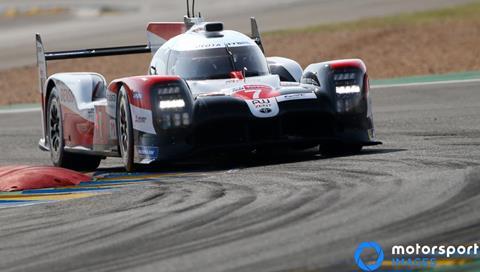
(58, 155)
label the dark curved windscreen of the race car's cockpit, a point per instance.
(217, 63)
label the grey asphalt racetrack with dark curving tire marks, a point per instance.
(301, 212)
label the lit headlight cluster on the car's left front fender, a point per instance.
(173, 112)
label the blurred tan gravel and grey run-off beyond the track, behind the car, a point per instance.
(394, 37)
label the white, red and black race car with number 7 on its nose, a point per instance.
(207, 88)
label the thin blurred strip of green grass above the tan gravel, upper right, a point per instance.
(463, 12)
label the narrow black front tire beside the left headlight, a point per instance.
(125, 131)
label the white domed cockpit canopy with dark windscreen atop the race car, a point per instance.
(199, 54)
